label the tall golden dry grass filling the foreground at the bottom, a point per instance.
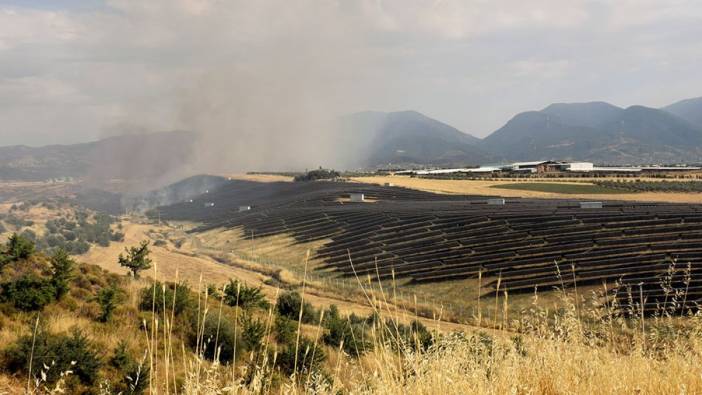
(581, 346)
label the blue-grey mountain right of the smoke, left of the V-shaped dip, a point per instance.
(373, 139)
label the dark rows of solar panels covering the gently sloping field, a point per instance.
(653, 250)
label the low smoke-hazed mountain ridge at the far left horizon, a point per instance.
(143, 156)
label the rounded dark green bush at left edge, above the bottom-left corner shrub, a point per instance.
(29, 293)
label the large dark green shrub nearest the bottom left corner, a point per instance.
(74, 352)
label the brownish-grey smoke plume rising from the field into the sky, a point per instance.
(268, 82)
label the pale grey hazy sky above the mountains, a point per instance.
(77, 70)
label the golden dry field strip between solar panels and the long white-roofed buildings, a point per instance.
(480, 187)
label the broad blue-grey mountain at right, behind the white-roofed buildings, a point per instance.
(598, 132)
